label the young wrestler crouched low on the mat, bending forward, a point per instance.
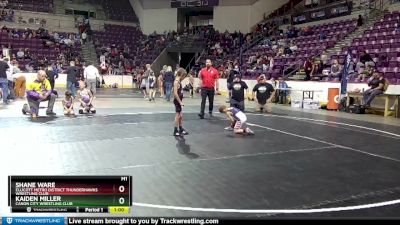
(238, 120)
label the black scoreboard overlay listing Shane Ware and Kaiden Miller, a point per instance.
(70, 194)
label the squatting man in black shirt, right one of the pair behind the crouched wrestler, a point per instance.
(264, 92)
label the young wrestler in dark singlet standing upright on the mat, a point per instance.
(178, 97)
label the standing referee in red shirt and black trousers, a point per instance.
(208, 82)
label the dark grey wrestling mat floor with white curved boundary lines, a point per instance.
(298, 159)
